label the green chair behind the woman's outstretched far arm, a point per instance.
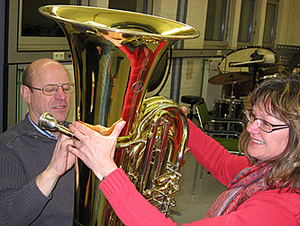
(227, 138)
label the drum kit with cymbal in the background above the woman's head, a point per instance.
(240, 72)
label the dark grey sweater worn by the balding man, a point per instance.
(24, 154)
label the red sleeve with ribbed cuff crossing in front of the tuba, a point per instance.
(130, 206)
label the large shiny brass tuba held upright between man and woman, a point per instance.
(114, 55)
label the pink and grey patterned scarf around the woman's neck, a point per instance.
(246, 184)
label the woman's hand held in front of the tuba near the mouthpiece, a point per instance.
(96, 150)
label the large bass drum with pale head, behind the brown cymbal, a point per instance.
(243, 88)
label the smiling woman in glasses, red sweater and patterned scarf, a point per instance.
(263, 186)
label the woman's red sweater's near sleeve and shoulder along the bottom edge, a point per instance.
(268, 208)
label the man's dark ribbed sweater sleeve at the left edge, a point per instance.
(20, 202)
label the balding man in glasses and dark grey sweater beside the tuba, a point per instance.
(36, 174)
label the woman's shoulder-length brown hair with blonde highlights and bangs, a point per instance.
(279, 97)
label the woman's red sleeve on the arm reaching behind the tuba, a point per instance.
(214, 157)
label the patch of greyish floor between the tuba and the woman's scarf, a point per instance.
(194, 207)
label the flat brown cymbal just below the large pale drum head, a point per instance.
(230, 78)
